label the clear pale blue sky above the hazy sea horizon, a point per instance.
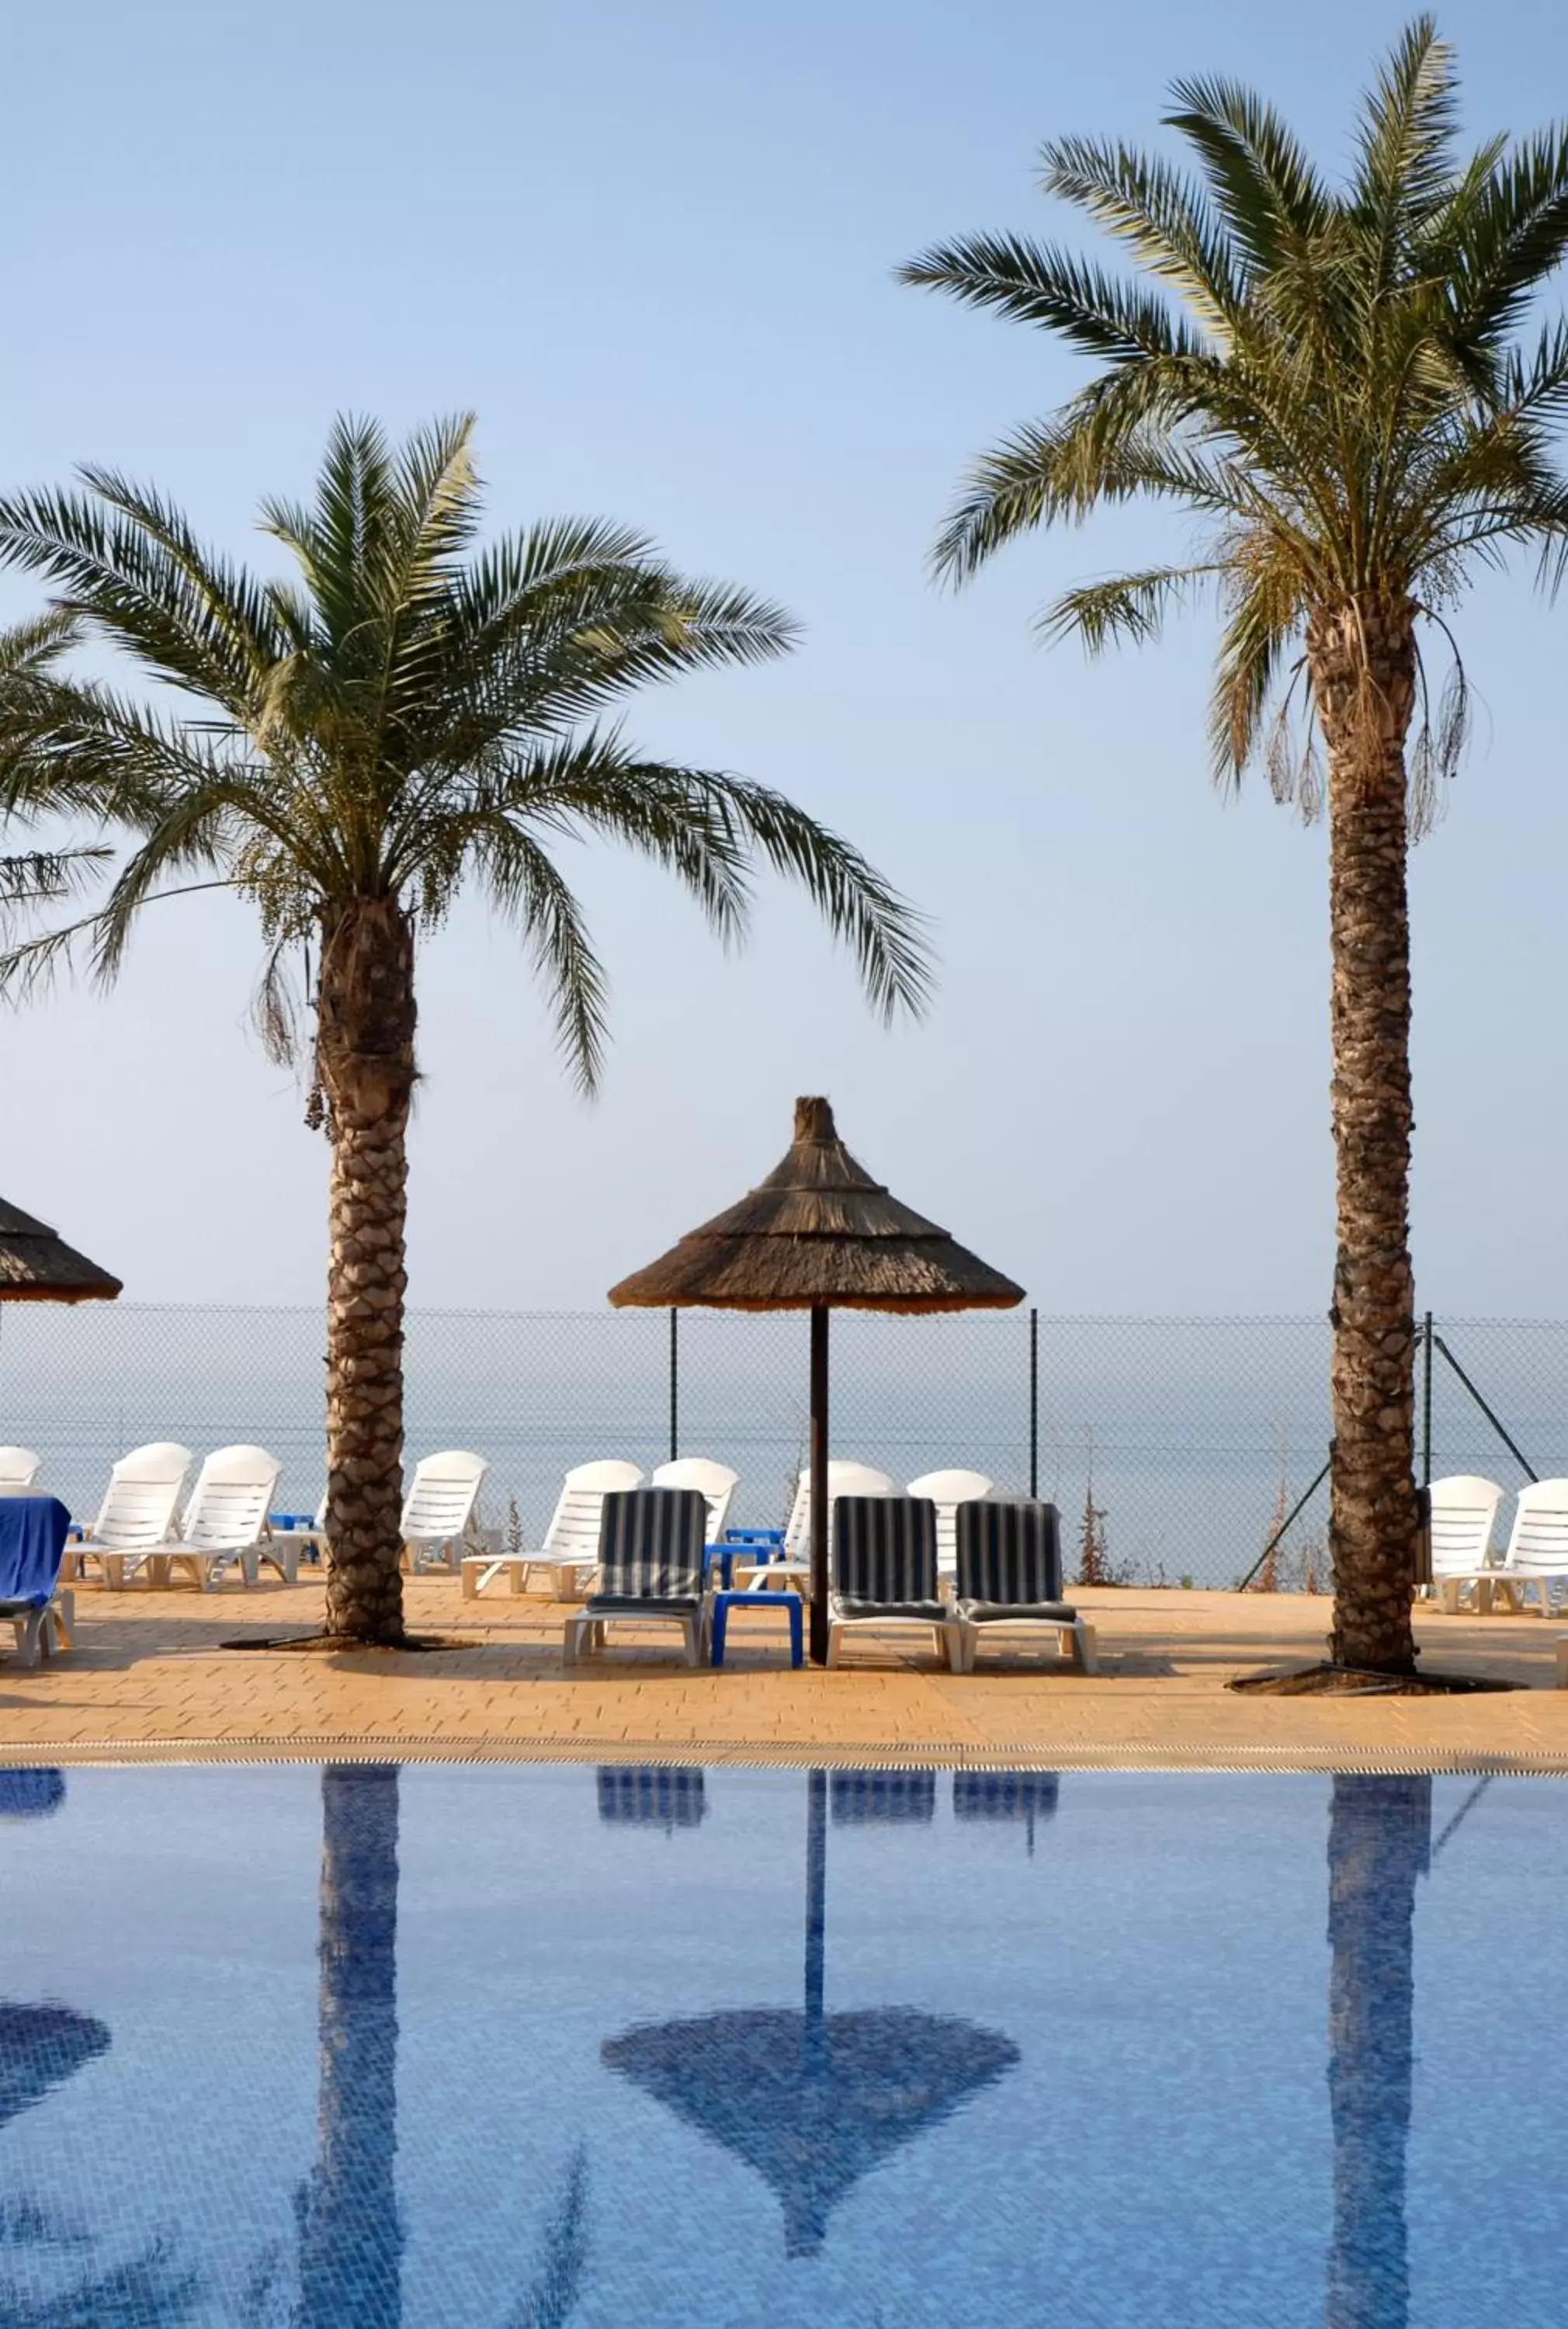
(654, 250)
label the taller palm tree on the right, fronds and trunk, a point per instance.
(1329, 381)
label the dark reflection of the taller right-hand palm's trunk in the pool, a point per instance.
(1378, 1846)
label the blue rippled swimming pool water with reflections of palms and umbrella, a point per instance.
(570, 2048)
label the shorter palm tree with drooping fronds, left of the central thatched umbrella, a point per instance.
(348, 751)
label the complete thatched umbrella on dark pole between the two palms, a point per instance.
(819, 1236)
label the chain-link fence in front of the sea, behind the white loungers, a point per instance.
(1175, 1447)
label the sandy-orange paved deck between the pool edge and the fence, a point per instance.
(150, 1678)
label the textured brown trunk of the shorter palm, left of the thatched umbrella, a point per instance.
(367, 1066)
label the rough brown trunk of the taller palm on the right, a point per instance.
(1362, 660)
